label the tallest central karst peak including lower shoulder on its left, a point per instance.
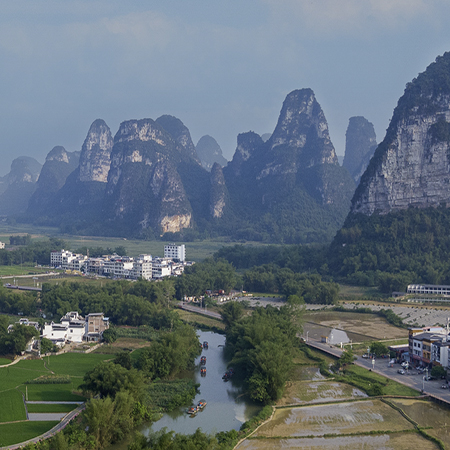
(291, 185)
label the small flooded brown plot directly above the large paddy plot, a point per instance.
(320, 391)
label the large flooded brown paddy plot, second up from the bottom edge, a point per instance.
(341, 418)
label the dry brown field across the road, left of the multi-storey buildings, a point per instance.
(358, 326)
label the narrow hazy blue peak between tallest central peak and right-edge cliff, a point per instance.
(360, 144)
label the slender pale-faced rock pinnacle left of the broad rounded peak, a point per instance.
(95, 158)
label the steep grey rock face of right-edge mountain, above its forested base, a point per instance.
(411, 167)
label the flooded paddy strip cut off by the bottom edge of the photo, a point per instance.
(397, 441)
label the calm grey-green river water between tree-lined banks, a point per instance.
(226, 408)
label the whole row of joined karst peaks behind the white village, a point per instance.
(148, 181)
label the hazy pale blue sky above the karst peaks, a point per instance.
(222, 67)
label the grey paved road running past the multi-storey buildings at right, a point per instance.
(413, 379)
